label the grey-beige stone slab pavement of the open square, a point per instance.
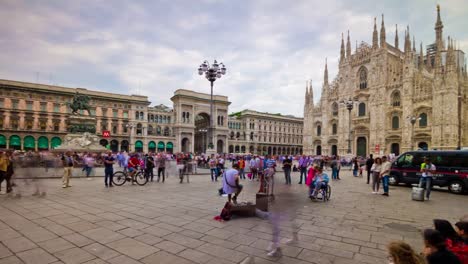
(173, 223)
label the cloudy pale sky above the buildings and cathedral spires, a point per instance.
(270, 47)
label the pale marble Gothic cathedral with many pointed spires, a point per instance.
(401, 99)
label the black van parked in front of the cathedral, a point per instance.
(451, 169)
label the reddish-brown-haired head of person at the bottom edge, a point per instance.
(399, 252)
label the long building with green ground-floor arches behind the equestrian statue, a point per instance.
(35, 117)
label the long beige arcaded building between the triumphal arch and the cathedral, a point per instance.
(264, 133)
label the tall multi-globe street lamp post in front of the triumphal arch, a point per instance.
(212, 73)
